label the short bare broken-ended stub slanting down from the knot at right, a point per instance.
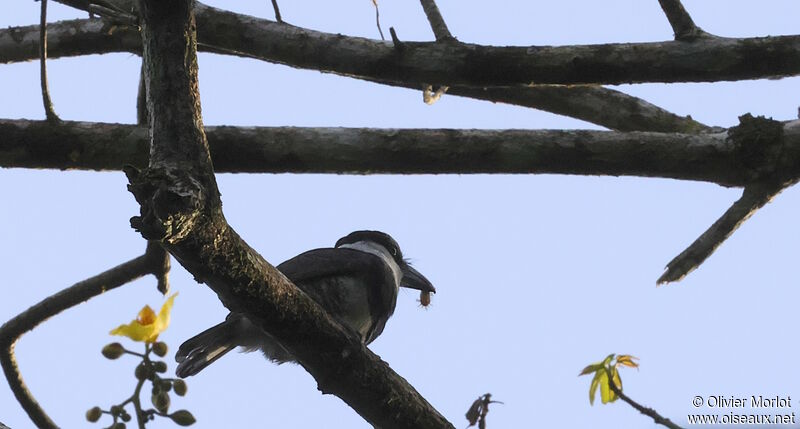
(753, 198)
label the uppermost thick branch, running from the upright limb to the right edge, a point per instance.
(705, 60)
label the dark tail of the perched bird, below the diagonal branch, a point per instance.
(206, 347)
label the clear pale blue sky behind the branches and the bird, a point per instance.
(527, 267)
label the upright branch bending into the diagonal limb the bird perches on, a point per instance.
(180, 206)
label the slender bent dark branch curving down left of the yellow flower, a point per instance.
(26, 321)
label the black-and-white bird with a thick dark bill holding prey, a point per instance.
(356, 282)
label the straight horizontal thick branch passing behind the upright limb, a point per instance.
(92, 146)
